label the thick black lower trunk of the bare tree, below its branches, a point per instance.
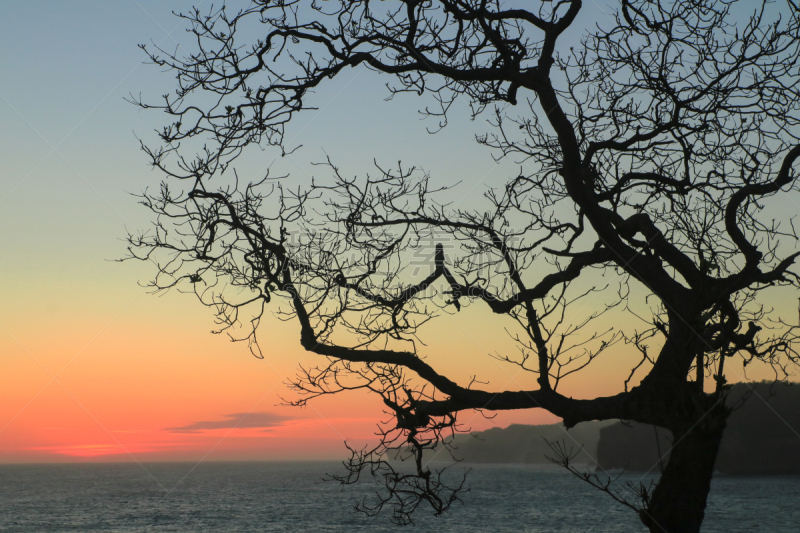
(678, 503)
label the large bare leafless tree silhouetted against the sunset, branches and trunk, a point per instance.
(656, 143)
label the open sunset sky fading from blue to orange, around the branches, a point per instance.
(95, 368)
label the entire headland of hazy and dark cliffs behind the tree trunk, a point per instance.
(762, 438)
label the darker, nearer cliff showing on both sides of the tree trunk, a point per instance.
(762, 436)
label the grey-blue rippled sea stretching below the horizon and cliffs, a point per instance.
(235, 497)
